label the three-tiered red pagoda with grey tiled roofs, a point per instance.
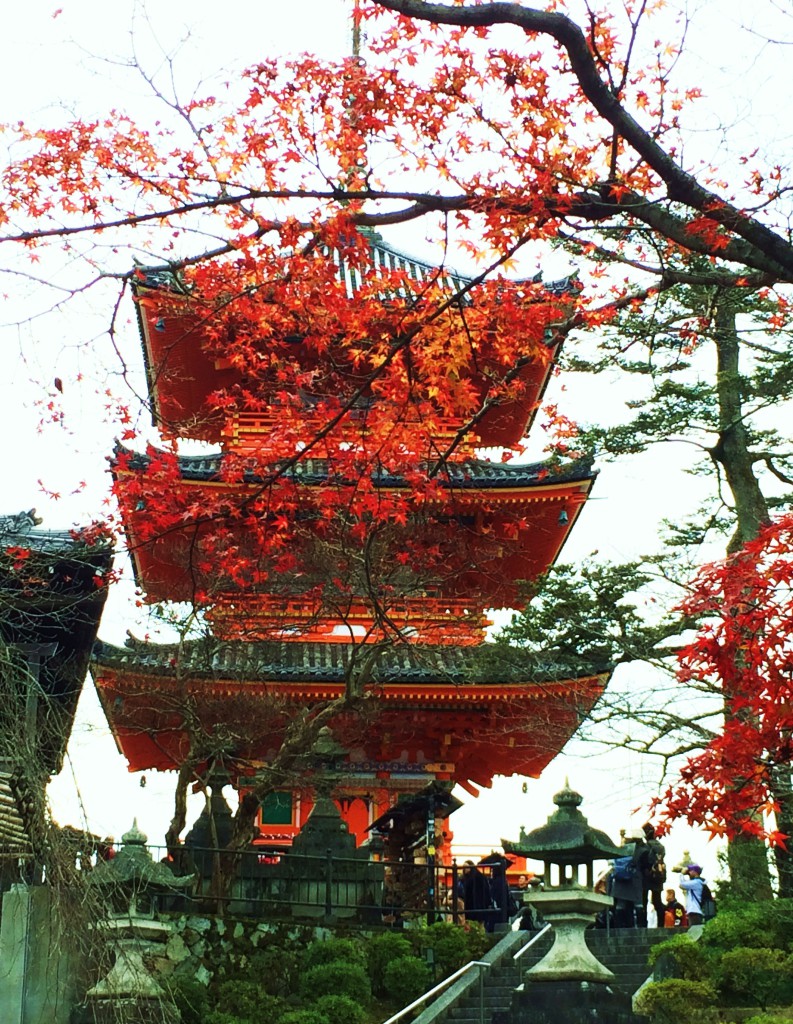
(402, 618)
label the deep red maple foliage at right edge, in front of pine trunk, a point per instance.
(745, 648)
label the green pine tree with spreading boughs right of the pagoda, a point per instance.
(709, 364)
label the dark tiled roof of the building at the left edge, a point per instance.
(52, 598)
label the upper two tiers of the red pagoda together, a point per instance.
(349, 391)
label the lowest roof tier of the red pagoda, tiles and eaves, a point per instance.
(457, 715)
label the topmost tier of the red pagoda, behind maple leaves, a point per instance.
(206, 385)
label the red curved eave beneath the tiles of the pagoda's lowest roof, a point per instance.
(484, 729)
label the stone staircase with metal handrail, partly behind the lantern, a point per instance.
(623, 951)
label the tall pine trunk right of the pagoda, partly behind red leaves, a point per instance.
(747, 856)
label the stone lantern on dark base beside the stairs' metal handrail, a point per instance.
(568, 846)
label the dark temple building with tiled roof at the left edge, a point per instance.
(53, 591)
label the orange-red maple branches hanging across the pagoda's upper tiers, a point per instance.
(557, 133)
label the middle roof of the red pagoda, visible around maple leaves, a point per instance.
(525, 513)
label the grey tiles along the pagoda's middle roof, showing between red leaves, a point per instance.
(454, 475)
